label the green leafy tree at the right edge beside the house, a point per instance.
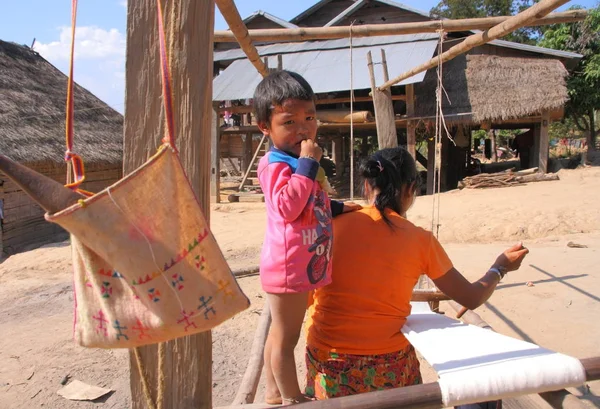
(584, 82)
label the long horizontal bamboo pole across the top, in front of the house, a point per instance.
(373, 30)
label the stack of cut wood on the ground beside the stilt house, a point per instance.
(504, 179)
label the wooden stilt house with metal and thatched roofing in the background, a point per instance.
(497, 85)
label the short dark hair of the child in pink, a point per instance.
(275, 89)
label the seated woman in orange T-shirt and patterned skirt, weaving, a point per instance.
(354, 340)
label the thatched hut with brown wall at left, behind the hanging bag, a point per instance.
(32, 129)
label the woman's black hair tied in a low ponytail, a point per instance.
(388, 170)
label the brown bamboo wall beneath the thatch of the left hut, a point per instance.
(24, 223)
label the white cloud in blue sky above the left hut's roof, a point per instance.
(100, 60)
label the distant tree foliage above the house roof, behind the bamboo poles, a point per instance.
(457, 9)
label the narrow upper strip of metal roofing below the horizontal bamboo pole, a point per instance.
(285, 48)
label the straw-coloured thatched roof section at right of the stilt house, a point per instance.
(494, 88)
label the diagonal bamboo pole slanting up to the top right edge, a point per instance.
(506, 27)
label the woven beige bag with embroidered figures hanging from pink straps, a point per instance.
(147, 269)
